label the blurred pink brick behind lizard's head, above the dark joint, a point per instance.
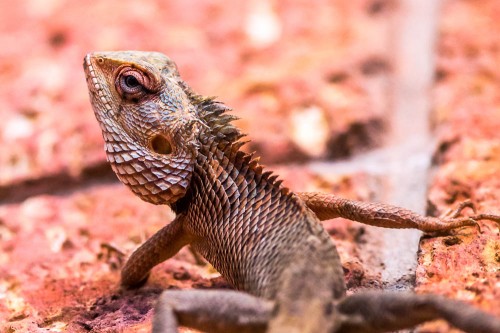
(300, 74)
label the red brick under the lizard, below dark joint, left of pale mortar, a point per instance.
(60, 263)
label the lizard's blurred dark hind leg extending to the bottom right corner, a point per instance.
(376, 312)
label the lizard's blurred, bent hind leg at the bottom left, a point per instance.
(222, 311)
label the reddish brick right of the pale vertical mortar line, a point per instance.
(465, 264)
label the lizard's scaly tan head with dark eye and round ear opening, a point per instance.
(148, 123)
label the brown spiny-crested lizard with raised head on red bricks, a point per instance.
(173, 147)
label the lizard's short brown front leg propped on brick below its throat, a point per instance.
(162, 245)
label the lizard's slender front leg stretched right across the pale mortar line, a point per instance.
(328, 206)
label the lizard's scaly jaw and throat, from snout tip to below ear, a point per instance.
(169, 172)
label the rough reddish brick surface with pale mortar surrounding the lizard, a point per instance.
(386, 100)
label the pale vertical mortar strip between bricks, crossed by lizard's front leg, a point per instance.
(410, 139)
